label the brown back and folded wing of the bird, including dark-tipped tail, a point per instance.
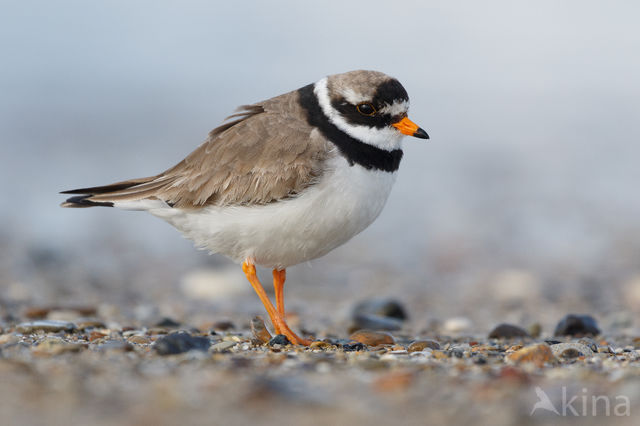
(266, 154)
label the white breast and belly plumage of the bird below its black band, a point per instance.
(285, 233)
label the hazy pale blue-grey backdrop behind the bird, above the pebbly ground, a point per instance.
(532, 108)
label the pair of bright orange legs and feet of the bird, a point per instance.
(277, 316)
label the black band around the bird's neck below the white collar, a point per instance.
(355, 151)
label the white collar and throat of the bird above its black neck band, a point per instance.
(387, 138)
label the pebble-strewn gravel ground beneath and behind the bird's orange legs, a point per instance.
(166, 341)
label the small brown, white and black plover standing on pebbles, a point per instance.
(282, 181)
